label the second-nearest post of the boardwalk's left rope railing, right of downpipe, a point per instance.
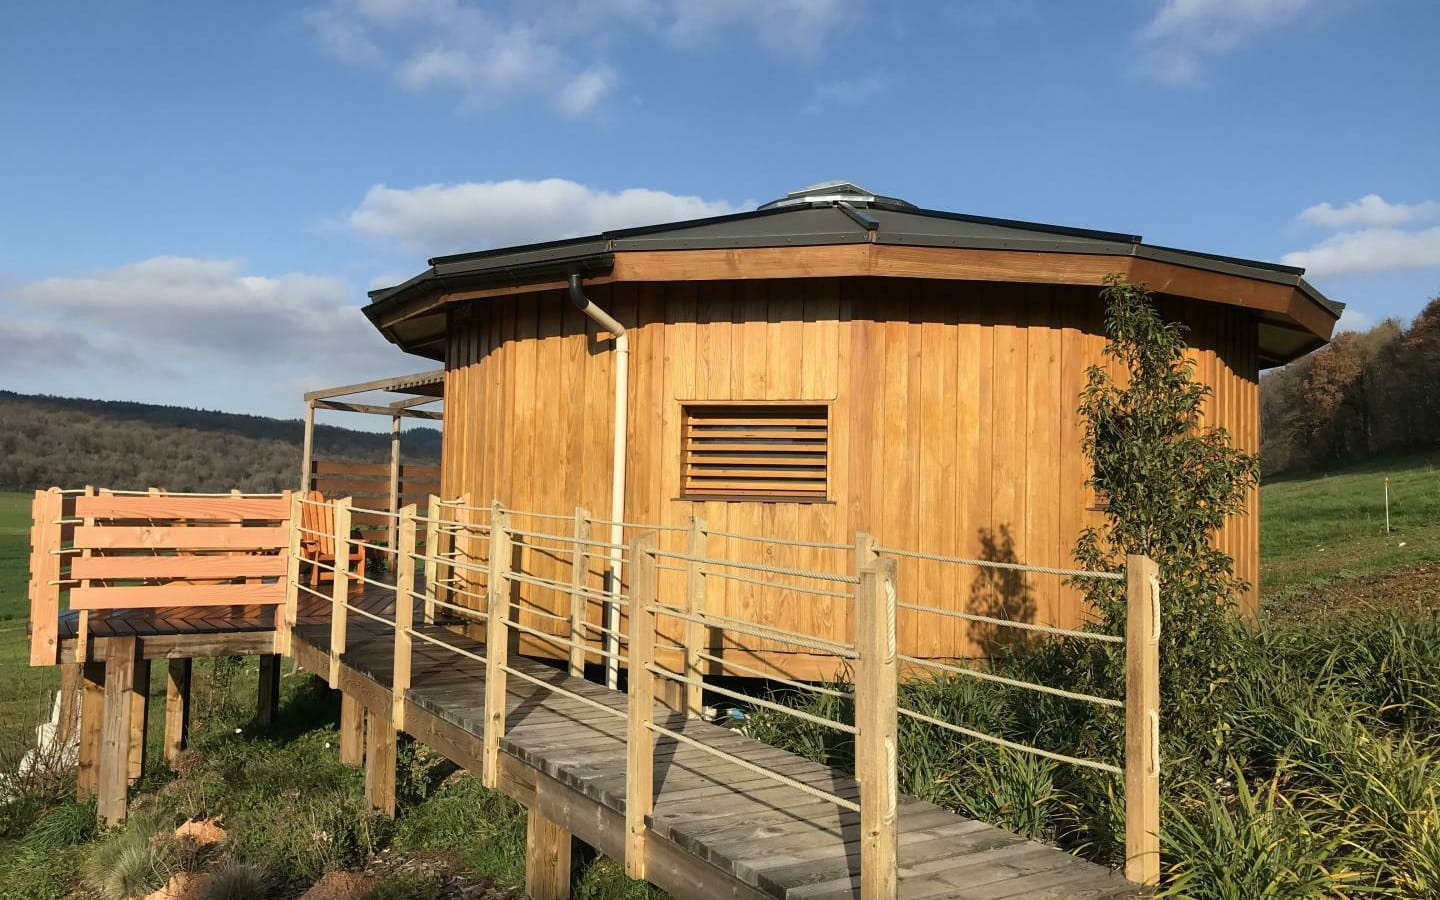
(640, 738)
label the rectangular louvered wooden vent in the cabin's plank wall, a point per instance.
(757, 453)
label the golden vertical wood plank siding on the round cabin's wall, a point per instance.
(953, 418)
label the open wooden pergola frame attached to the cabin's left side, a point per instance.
(417, 391)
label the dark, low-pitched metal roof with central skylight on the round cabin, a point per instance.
(830, 214)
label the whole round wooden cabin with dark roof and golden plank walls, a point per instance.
(830, 364)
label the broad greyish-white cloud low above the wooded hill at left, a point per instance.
(188, 315)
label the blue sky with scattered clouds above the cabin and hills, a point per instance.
(198, 195)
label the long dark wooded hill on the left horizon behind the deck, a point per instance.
(61, 441)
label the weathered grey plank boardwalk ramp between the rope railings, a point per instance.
(718, 829)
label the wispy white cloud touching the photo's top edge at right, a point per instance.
(1184, 32)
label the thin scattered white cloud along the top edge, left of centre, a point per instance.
(500, 53)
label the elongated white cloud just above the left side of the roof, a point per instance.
(437, 220)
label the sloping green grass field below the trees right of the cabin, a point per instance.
(1327, 529)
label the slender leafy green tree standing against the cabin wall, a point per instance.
(1170, 485)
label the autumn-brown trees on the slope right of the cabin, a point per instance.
(1367, 394)
